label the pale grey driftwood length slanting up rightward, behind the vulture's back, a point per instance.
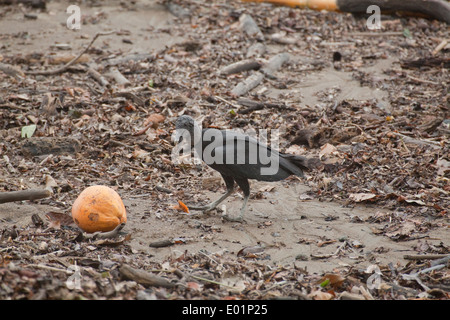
(255, 79)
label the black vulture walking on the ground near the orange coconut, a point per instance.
(237, 157)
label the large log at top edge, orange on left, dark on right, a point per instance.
(436, 9)
